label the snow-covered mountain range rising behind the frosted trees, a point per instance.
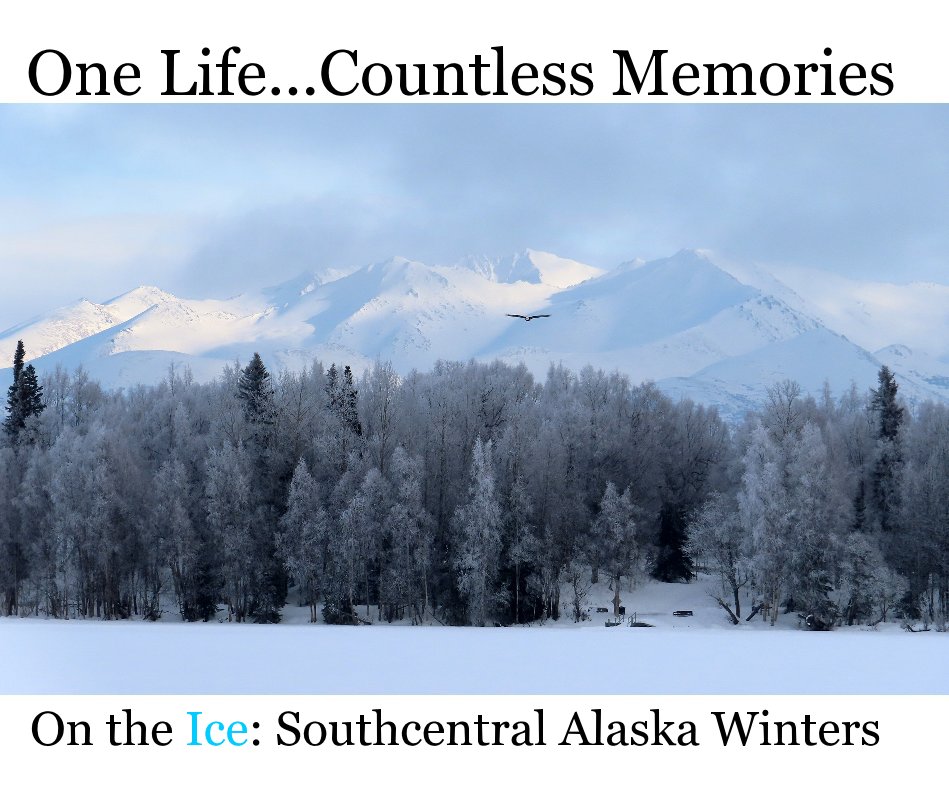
(715, 334)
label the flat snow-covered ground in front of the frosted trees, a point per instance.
(701, 654)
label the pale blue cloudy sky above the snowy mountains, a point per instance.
(212, 200)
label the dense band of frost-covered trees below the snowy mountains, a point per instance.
(467, 494)
